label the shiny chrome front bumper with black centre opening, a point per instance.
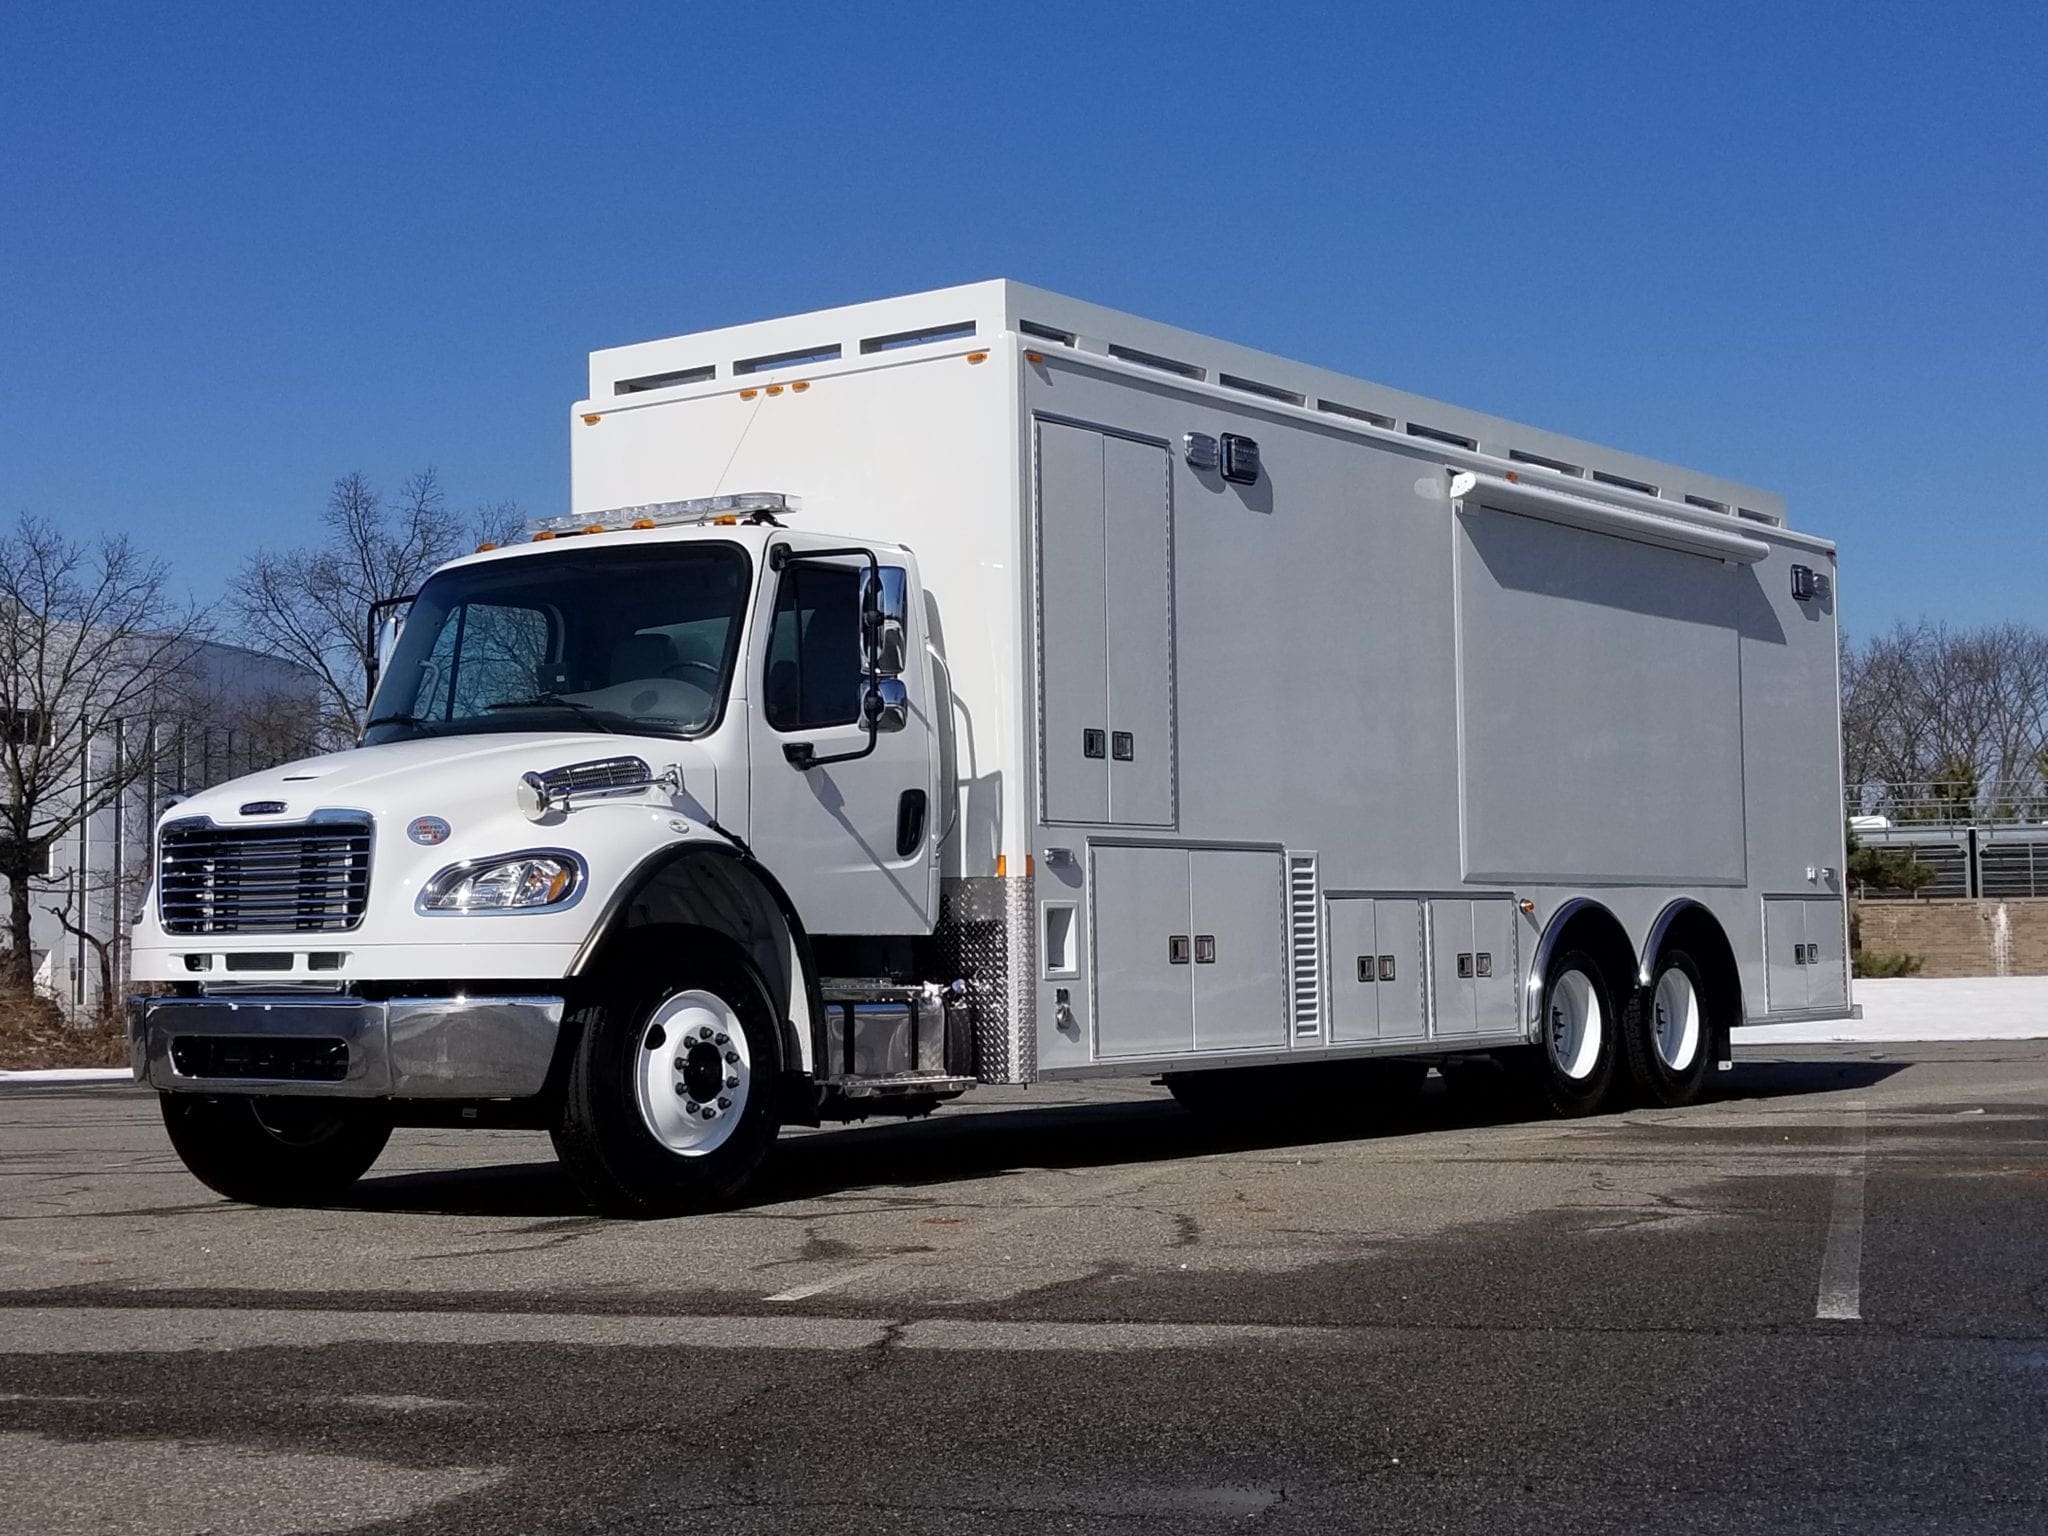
(345, 1048)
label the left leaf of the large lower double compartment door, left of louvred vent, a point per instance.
(1144, 994)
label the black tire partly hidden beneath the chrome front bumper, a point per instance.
(275, 1152)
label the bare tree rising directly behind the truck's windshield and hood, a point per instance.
(312, 605)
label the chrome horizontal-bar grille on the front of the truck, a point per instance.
(312, 878)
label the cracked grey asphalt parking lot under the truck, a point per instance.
(1814, 1304)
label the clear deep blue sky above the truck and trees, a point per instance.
(247, 249)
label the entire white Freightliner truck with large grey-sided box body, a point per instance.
(986, 687)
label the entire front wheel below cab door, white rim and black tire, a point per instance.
(671, 1099)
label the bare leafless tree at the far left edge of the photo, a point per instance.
(89, 636)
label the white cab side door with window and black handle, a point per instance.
(851, 841)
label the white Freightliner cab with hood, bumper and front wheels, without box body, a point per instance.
(624, 796)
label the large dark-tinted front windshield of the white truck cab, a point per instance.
(636, 638)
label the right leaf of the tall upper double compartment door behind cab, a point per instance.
(1140, 601)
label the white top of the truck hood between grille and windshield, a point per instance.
(433, 775)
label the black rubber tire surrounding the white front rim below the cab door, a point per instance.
(601, 1134)
